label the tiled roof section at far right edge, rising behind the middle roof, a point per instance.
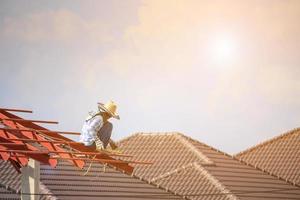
(279, 156)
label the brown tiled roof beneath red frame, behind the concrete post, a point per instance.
(101, 182)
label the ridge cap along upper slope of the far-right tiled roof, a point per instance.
(268, 141)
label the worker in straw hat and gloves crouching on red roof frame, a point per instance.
(97, 125)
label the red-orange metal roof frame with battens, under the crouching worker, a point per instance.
(24, 131)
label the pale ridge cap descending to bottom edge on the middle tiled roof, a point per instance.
(215, 181)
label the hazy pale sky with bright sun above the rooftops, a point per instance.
(223, 72)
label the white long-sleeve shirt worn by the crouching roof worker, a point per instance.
(90, 129)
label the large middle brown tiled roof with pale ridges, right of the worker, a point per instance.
(198, 171)
